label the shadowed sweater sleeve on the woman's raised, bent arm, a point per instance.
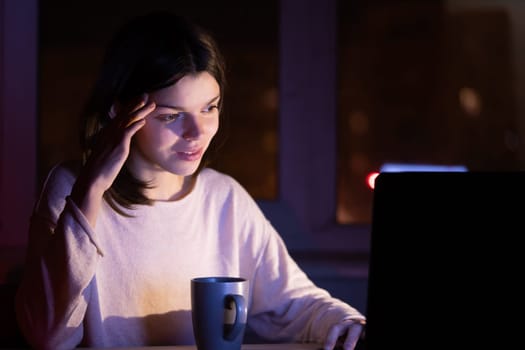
(61, 260)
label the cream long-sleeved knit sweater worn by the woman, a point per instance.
(126, 282)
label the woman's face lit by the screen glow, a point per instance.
(180, 129)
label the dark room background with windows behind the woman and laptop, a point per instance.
(322, 94)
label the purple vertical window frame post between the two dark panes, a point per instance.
(307, 143)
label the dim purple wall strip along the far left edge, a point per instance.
(18, 57)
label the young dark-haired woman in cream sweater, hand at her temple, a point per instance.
(115, 240)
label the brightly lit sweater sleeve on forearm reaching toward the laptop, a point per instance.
(287, 305)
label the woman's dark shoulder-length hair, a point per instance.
(149, 53)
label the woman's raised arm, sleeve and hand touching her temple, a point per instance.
(62, 251)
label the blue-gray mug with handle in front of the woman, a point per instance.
(219, 312)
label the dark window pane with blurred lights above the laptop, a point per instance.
(421, 85)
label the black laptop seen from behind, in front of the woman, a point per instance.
(446, 261)
